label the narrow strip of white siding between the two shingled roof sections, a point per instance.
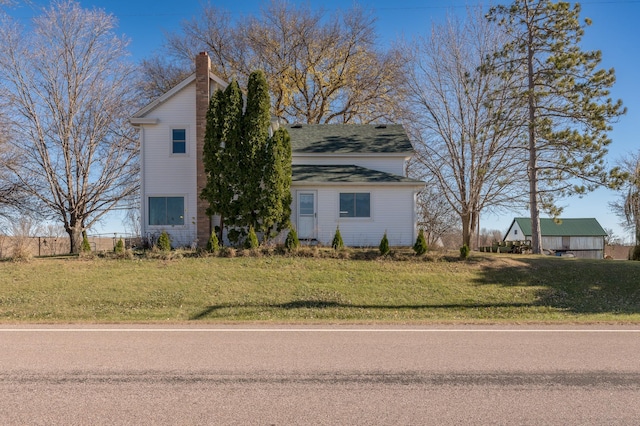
(394, 165)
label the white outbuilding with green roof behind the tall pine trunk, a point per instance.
(584, 237)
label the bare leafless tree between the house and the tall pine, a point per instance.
(461, 121)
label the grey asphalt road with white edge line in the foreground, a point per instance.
(322, 376)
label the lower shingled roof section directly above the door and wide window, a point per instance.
(345, 174)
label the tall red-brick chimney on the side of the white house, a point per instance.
(203, 92)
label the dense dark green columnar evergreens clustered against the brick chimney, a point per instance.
(249, 172)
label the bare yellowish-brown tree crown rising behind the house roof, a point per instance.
(320, 68)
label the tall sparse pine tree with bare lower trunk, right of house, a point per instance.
(565, 108)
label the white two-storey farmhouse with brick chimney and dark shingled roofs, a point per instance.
(347, 176)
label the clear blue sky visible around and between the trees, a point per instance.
(614, 31)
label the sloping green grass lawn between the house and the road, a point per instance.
(485, 288)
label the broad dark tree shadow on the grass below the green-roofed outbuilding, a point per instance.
(579, 286)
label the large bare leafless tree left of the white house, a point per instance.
(70, 95)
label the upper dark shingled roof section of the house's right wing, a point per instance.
(348, 139)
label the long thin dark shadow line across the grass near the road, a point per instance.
(325, 304)
